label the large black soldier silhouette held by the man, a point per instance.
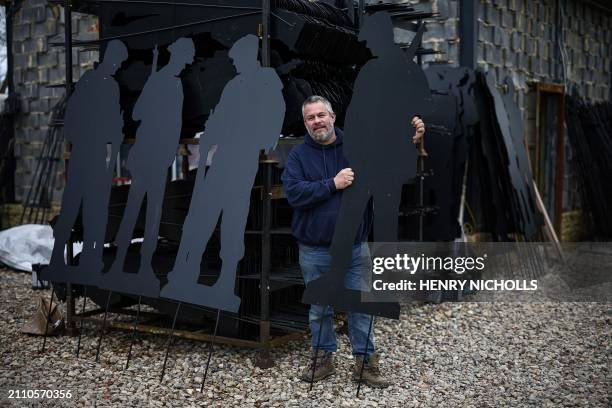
(389, 91)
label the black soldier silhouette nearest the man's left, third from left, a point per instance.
(247, 119)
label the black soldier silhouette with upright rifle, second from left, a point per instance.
(159, 110)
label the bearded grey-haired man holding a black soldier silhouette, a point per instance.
(315, 175)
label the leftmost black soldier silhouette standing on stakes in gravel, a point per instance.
(92, 120)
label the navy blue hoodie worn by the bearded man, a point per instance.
(308, 182)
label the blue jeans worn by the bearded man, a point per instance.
(316, 261)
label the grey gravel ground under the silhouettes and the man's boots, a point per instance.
(448, 355)
